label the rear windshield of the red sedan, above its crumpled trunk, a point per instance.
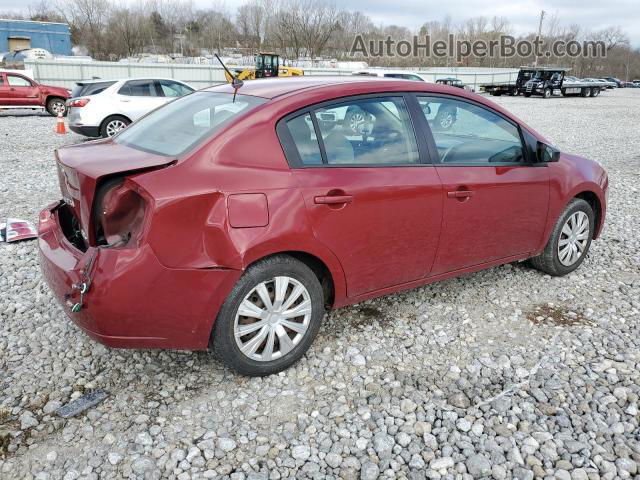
(184, 123)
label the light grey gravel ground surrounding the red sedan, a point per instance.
(502, 374)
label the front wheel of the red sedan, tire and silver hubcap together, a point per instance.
(570, 240)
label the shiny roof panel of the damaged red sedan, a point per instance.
(275, 87)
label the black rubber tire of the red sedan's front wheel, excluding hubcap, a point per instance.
(548, 261)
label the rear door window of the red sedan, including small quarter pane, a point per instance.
(375, 131)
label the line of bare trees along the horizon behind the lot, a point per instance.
(311, 29)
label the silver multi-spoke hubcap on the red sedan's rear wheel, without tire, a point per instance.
(272, 319)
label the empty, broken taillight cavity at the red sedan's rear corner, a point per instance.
(119, 214)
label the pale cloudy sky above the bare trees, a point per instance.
(522, 14)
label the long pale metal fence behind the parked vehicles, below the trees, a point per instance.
(66, 73)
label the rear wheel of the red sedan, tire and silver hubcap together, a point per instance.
(270, 318)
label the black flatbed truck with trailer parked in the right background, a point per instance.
(544, 82)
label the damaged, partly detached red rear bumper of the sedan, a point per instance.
(133, 301)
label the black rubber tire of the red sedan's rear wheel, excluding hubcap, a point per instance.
(223, 339)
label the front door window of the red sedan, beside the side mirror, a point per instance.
(465, 133)
